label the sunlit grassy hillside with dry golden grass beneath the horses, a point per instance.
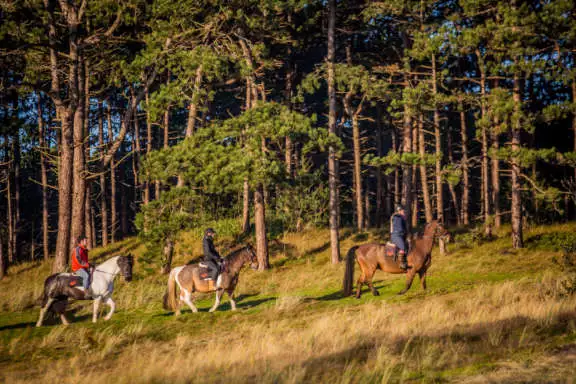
(491, 314)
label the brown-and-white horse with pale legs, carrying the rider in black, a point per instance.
(188, 279)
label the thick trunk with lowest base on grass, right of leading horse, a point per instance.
(517, 237)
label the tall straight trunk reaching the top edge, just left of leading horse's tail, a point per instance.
(332, 162)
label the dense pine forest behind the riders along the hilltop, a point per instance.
(260, 117)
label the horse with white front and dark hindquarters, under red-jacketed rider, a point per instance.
(58, 288)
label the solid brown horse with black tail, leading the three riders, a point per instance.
(373, 256)
